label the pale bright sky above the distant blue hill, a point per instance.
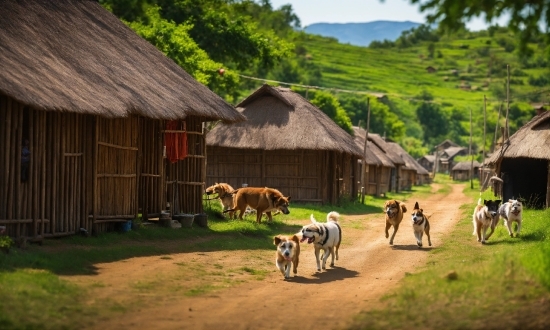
(361, 11)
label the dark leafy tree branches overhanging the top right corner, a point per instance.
(525, 16)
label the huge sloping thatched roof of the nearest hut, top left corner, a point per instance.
(75, 56)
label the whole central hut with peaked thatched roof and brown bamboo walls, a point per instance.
(286, 143)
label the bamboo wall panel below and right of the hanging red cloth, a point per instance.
(186, 178)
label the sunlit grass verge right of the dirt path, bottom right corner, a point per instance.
(503, 284)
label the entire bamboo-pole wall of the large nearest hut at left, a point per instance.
(88, 172)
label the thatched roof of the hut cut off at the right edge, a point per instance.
(530, 141)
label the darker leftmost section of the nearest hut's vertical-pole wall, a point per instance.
(51, 197)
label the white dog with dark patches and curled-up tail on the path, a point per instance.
(324, 236)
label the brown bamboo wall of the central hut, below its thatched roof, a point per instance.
(305, 175)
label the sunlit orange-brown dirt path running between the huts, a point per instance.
(368, 268)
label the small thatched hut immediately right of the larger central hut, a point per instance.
(378, 165)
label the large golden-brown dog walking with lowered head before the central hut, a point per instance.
(263, 200)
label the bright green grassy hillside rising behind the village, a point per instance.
(467, 68)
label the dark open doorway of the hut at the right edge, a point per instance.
(525, 178)
